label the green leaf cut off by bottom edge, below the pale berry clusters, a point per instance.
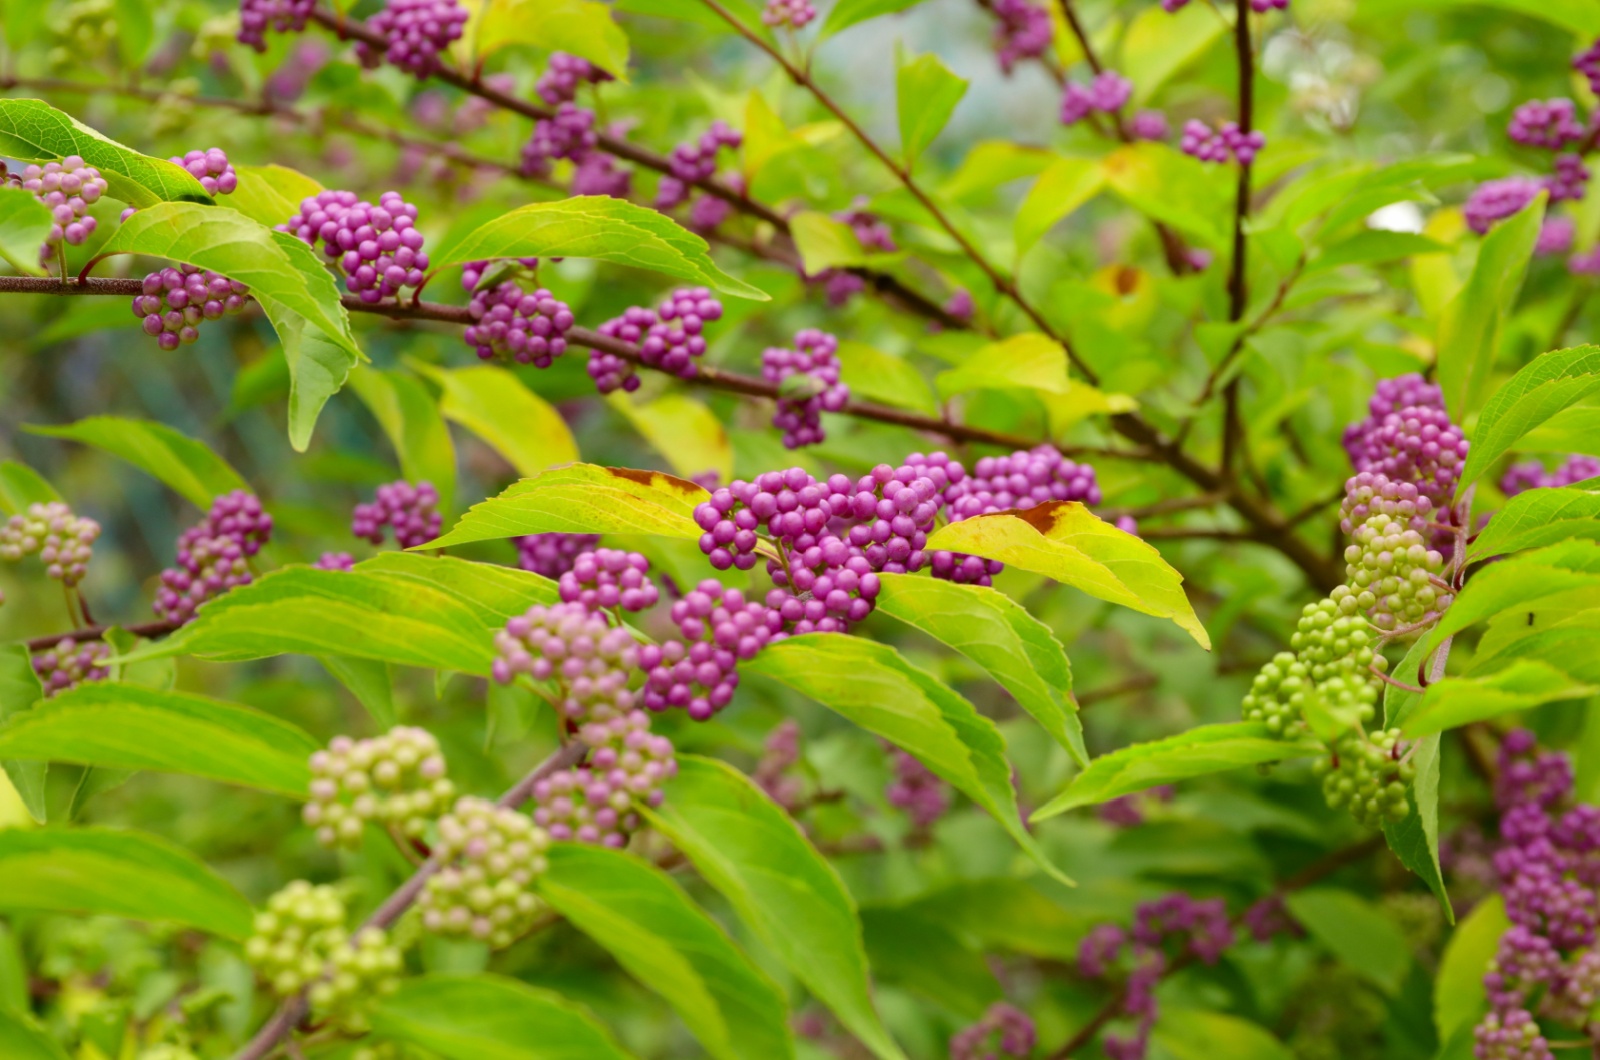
(492, 1018)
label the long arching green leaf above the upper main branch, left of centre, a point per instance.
(601, 228)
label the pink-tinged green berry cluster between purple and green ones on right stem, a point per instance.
(1393, 572)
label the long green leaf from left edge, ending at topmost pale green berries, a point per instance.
(132, 728)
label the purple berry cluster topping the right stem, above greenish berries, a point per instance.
(1409, 438)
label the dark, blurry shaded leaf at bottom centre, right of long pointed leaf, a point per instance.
(926, 955)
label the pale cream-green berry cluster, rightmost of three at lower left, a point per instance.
(492, 854)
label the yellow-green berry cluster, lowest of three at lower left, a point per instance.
(300, 942)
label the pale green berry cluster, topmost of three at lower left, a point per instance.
(396, 779)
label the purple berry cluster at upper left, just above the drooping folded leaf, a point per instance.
(380, 249)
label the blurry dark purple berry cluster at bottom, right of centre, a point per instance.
(1162, 931)
